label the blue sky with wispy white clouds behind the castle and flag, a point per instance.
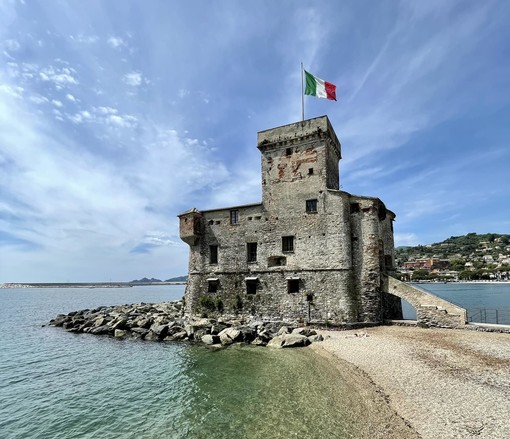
(116, 116)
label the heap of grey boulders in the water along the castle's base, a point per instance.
(165, 322)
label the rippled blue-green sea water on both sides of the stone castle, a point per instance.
(56, 384)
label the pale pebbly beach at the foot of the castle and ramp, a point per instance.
(442, 383)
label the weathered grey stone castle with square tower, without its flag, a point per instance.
(309, 251)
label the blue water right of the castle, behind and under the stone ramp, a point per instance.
(473, 296)
